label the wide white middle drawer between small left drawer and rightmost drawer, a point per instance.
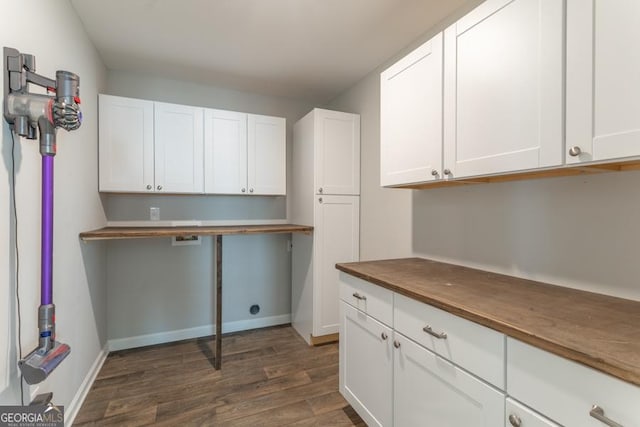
(473, 347)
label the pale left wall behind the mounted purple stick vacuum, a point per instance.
(52, 32)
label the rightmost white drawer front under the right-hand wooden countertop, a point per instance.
(565, 391)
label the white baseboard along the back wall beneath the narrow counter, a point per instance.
(199, 331)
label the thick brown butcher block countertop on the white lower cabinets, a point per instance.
(599, 331)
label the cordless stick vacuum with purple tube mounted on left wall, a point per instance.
(25, 111)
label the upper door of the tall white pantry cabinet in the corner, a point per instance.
(337, 152)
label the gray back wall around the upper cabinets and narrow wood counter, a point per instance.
(155, 289)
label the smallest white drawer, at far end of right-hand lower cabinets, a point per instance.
(372, 299)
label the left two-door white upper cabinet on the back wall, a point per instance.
(149, 146)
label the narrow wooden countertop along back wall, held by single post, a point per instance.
(146, 232)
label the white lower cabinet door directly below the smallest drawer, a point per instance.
(366, 367)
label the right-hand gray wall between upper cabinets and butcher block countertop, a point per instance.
(580, 232)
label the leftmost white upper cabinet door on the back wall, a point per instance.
(126, 144)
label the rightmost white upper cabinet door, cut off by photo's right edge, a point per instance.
(603, 66)
